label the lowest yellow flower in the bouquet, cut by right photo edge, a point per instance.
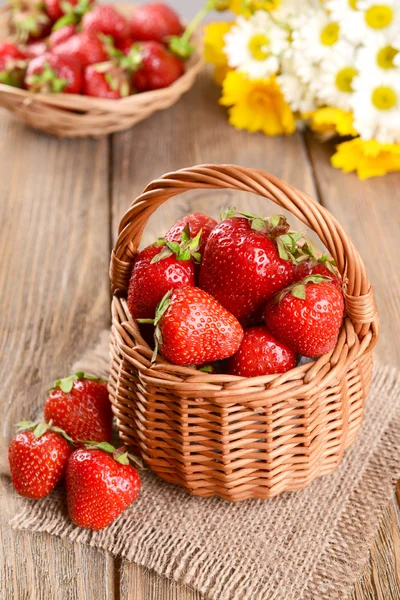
(368, 158)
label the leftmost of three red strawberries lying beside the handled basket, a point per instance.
(38, 457)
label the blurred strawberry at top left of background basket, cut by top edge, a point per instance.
(29, 20)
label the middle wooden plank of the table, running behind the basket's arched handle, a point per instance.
(194, 131)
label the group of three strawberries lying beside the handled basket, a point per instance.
(74, 443)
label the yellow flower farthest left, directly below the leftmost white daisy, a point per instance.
(257, 105)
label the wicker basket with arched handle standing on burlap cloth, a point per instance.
(229, 436)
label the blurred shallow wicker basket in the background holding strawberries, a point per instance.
(72, 115)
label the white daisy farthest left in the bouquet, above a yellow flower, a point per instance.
(255, 45)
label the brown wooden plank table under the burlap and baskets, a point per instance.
(60, 205)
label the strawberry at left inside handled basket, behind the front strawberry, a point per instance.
(158, 270)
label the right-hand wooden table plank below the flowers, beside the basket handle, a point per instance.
(369, 210)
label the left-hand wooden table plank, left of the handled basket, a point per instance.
(54, 210)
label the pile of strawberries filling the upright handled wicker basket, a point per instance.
(246, 296)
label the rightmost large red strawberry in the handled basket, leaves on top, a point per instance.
(307, 316)
